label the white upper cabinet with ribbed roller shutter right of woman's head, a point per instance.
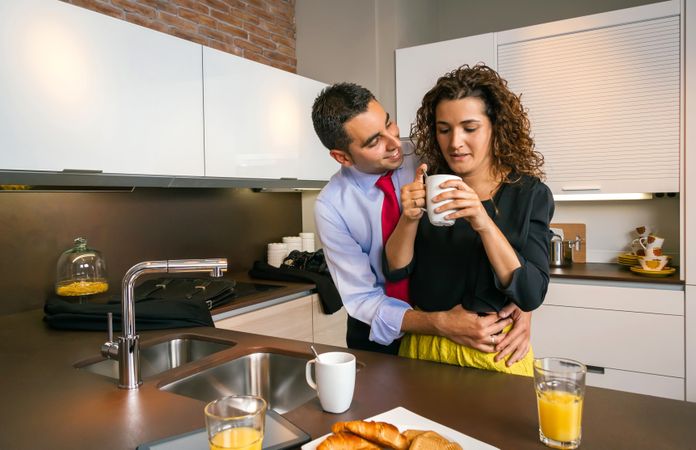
(603, 94)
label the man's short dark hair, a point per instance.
(333, 107)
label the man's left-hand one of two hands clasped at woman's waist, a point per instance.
(468, 328)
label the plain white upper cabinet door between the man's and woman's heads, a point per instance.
(418, 68)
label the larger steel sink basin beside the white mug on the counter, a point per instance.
(278, 378)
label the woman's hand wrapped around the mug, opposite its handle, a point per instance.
(467, 204)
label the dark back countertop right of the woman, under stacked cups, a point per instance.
(610, 272)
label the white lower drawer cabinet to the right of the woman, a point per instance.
(632, 339)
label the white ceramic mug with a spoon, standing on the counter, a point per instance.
(335, 380)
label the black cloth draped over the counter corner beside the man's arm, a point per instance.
(328, 294)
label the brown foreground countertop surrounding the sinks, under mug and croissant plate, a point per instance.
(47, 403)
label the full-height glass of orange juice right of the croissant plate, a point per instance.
(560, 388)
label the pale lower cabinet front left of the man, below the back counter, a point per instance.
(301, 319)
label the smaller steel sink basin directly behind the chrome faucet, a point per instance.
(157, 358)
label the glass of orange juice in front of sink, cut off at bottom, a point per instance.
(235, 422)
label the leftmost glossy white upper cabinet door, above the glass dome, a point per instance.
(81, 90)
